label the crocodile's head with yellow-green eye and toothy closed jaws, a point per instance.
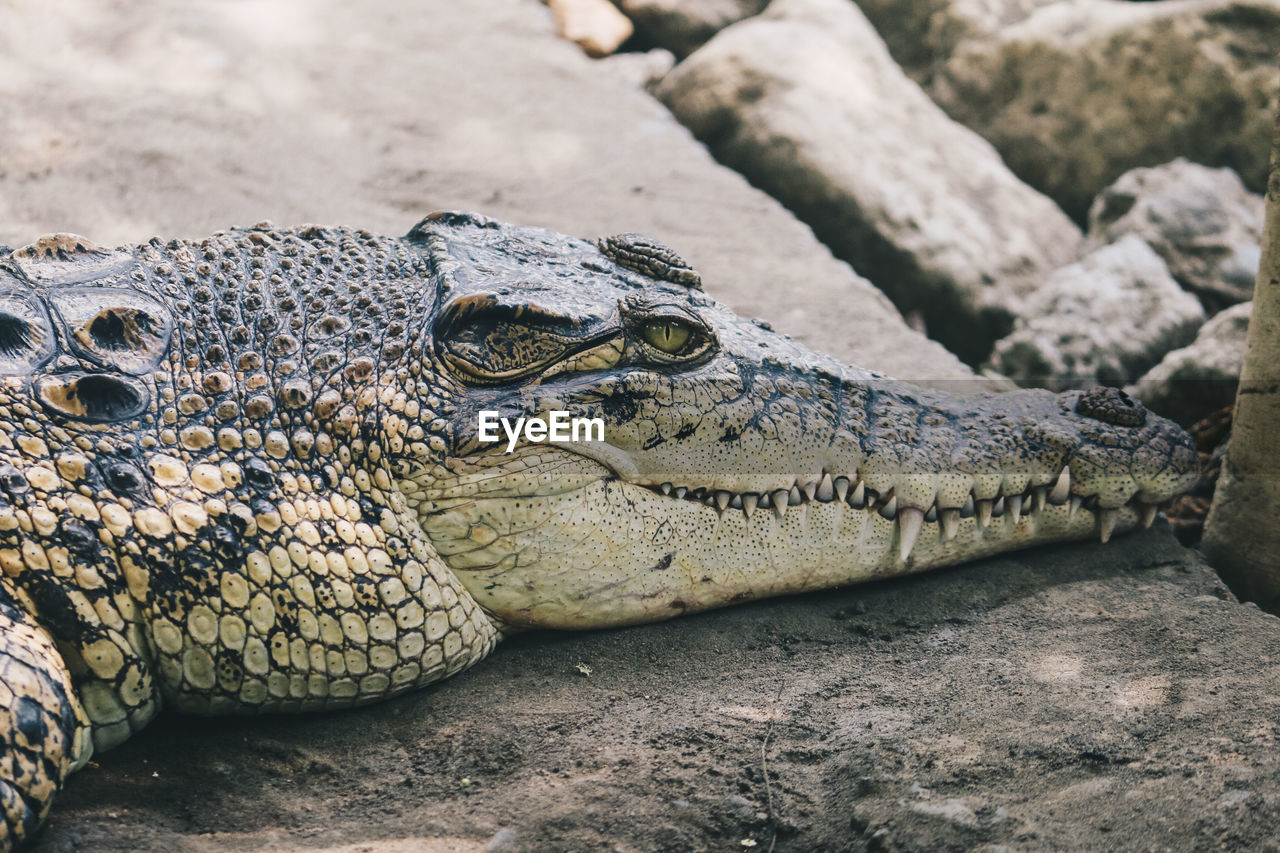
(734, 464)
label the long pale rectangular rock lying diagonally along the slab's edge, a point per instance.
(807, 103)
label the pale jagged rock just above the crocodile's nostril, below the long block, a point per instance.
(1107, 318)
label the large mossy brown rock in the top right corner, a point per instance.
(1082, 92)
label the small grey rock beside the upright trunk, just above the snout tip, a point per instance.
(1201, 378)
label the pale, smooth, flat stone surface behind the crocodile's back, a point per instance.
(299, 113)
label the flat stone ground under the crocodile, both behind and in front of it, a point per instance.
(1081, 697)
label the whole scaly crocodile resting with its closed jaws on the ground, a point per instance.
(246, 475)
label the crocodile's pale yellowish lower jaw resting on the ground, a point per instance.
(593, 550)
